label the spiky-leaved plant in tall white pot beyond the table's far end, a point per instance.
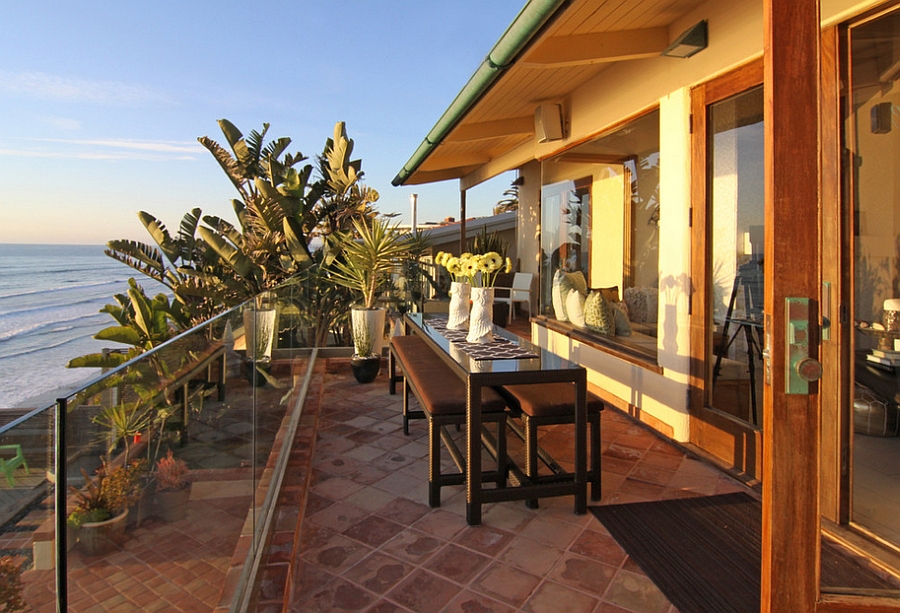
(364, 262)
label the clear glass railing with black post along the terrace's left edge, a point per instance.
(215, 398)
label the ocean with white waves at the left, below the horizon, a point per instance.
(50, 298)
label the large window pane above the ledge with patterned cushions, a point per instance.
(600, 231)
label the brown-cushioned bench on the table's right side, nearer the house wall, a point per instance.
(550, 404)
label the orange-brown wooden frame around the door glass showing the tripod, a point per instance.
(716, 432)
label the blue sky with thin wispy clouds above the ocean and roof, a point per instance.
(101, 103)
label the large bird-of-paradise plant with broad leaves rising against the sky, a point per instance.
(285, 204)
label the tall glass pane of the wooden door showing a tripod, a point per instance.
(736, 186)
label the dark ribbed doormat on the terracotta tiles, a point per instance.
(704, 552)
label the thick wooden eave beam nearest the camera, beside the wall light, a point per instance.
(598, 47)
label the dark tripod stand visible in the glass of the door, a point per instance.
(750, 278)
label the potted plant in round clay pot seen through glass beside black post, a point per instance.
(101, 506)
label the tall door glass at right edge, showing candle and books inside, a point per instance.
(873, 137)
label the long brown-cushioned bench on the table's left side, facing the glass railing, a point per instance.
(442, 397)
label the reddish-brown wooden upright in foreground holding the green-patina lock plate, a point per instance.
(790, 501)
